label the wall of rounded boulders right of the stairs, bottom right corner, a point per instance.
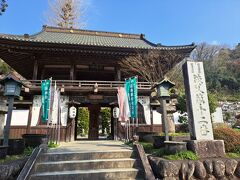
(217, 168)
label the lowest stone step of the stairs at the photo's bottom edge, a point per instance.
(110, 174)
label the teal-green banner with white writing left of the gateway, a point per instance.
(45, 86)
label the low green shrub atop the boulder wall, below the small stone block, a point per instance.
(182, 156)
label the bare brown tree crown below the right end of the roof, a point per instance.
(152, 65)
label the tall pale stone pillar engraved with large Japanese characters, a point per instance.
(200, 124)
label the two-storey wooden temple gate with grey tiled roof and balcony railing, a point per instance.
(84, 65)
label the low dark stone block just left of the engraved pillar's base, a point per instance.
(173, 147)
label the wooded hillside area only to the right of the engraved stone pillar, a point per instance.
(223, 73)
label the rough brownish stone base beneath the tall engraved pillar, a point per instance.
(207, 148)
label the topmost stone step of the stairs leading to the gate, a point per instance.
(67, 156)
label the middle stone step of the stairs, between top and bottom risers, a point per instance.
(51, 166)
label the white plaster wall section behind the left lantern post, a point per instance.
(19, 118)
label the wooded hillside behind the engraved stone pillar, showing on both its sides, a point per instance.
(222, 70)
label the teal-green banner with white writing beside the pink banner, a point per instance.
(132, 91)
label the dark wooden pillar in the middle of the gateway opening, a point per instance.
(94, 111)
